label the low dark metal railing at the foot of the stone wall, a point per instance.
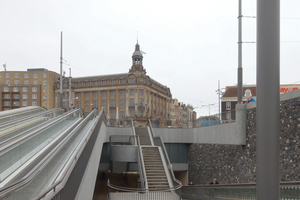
(288, 191)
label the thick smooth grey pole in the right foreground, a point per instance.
(268, 99)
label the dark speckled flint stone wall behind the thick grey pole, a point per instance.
(237, 164)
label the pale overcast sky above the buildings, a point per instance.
(189, 45)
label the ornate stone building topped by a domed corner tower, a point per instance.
(132, 95)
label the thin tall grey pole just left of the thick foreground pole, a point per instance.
(240, 69)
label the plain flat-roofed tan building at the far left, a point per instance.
(33, 87)
